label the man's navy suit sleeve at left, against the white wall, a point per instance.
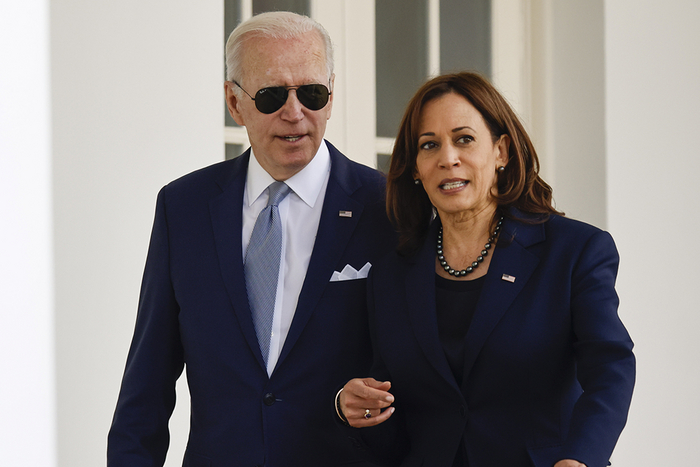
(139, 434)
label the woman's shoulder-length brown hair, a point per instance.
(519, 186)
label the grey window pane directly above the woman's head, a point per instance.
(465, 36)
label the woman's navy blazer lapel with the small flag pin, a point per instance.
(498, 294)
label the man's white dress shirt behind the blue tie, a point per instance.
(300, 214)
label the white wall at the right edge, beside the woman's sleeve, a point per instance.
(653, 162)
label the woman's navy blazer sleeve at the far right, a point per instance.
(604, 358)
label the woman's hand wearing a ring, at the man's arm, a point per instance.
(363, 399)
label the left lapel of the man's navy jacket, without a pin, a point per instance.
(226, 214)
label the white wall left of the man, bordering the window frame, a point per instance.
(137, 102)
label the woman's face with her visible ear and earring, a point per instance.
(457, 159)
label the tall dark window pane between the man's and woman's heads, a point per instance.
(402, 58)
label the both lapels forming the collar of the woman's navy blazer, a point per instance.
(512, 259)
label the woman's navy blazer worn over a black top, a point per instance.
(549, 368)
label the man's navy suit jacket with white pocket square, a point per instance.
(194, 312)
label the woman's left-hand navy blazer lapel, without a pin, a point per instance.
(420, 293)
